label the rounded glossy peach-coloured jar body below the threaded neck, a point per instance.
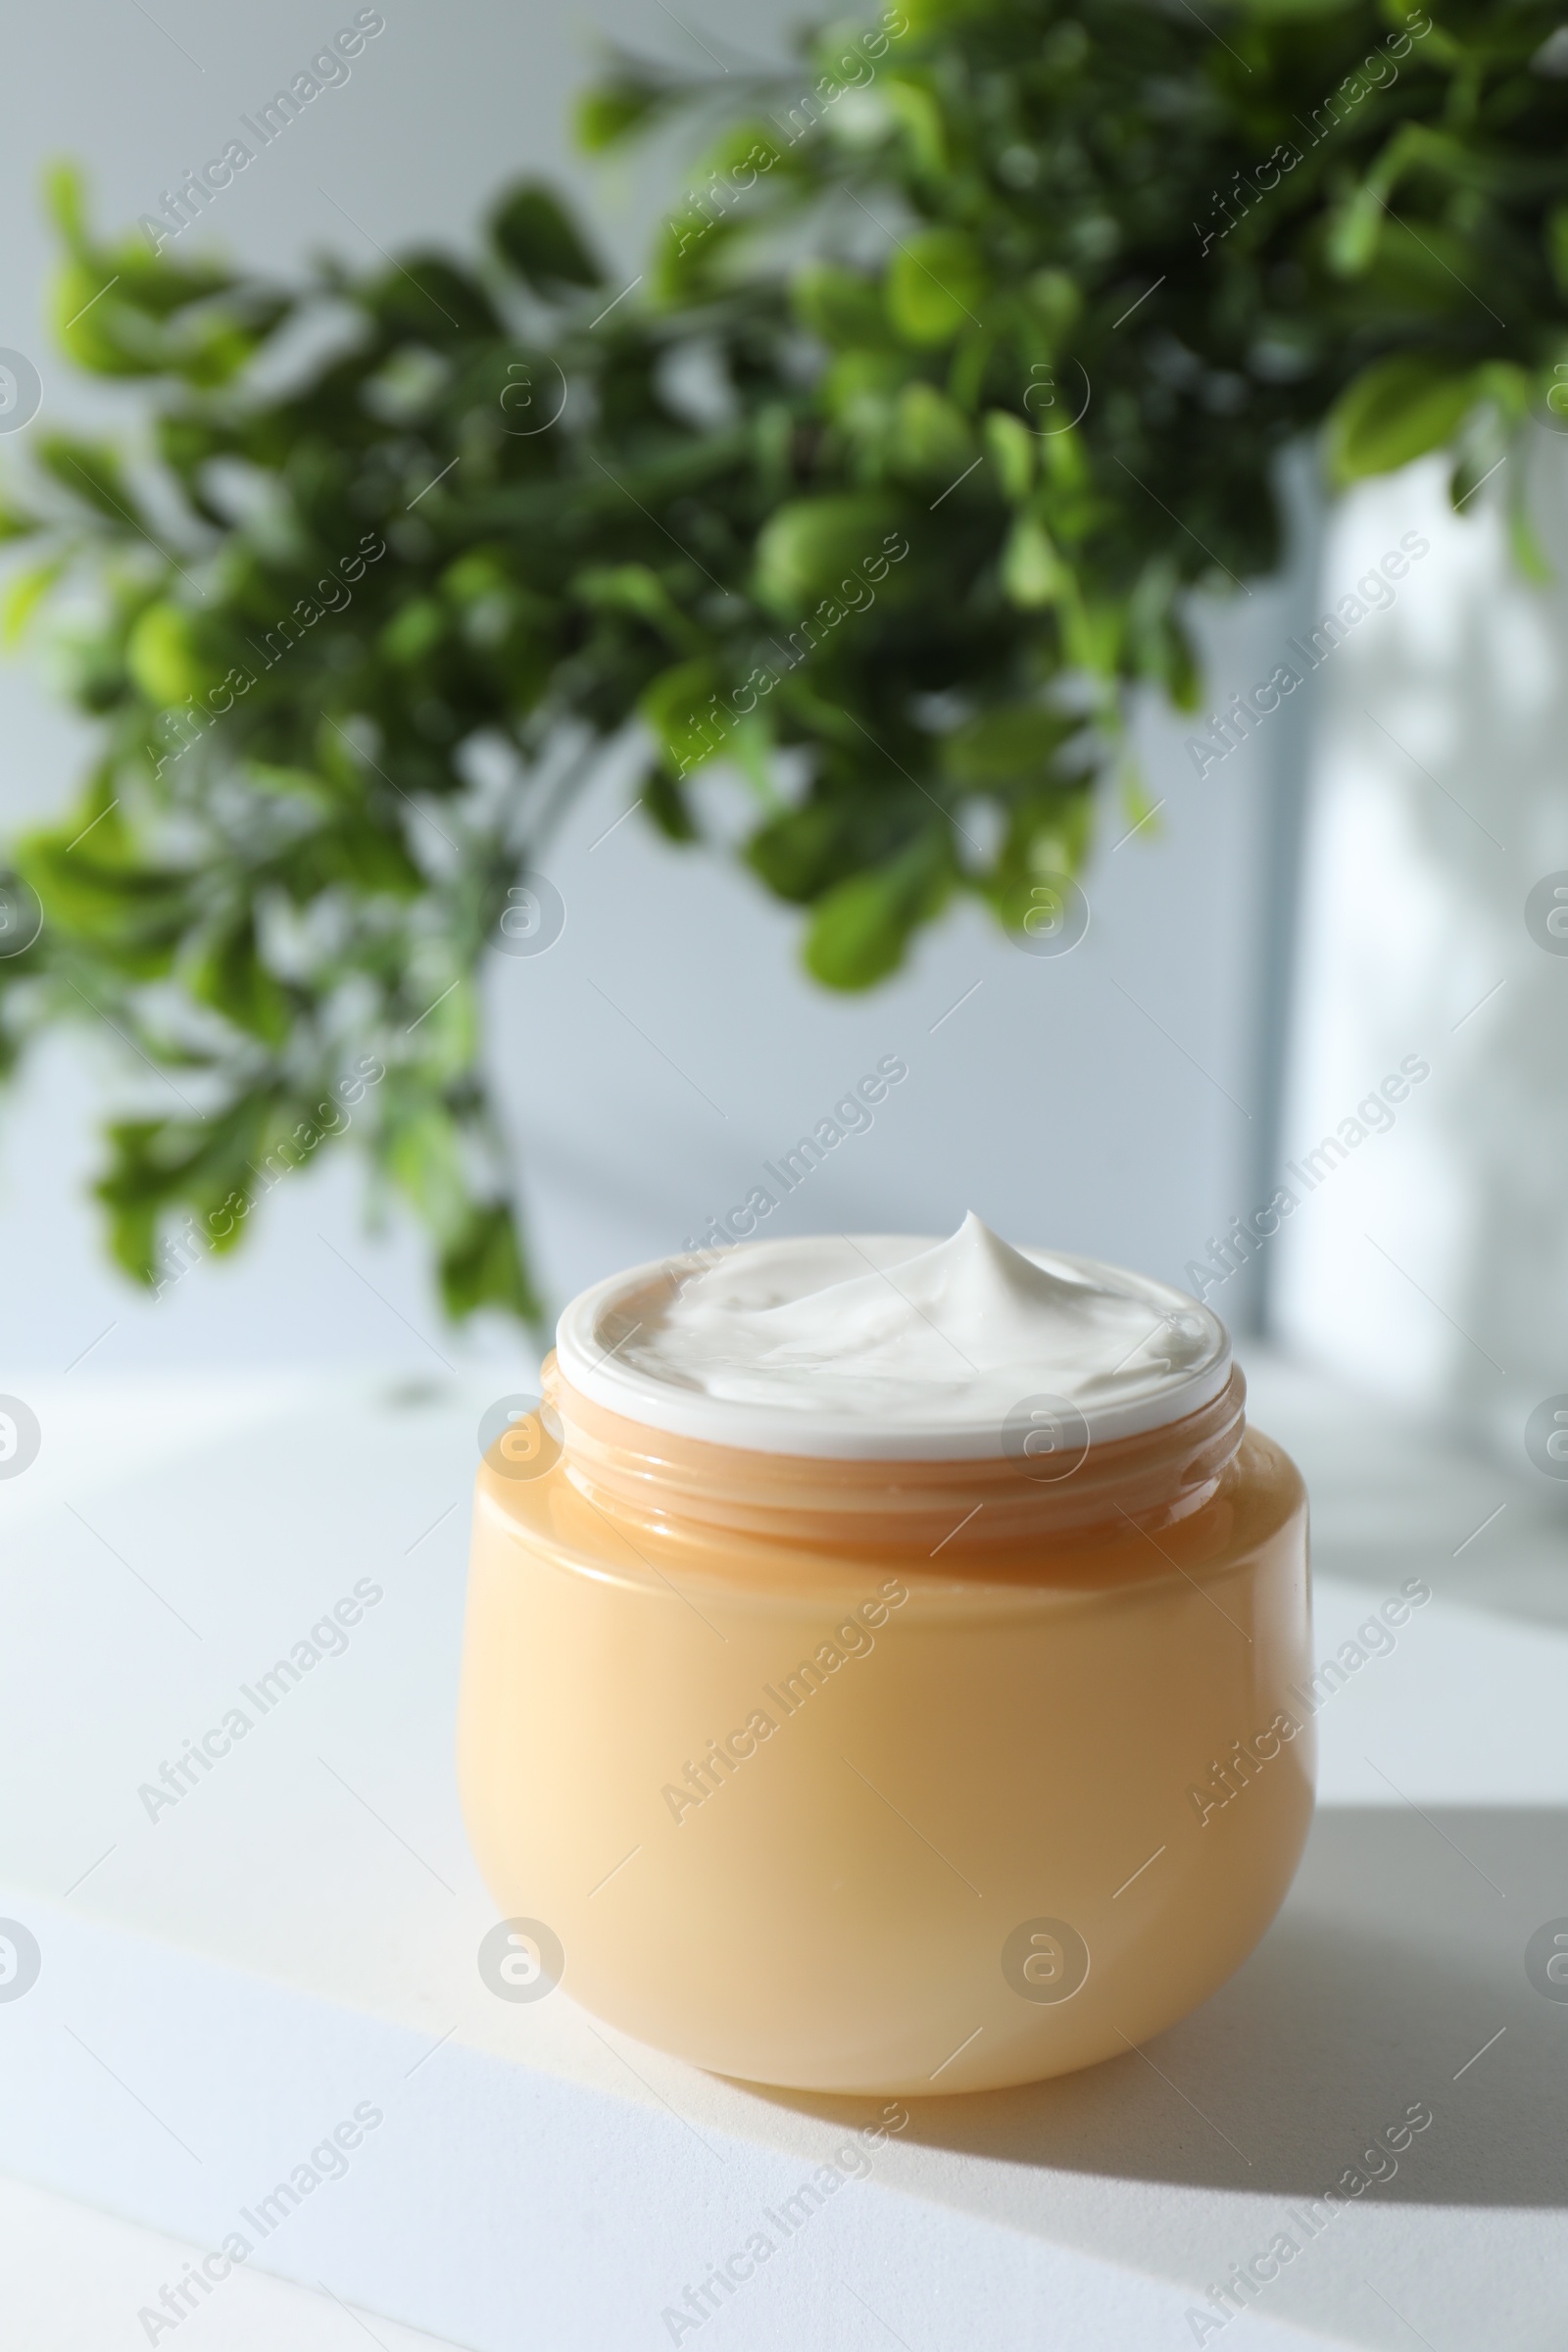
(857, 1822)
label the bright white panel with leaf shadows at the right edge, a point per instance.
(1435, 1262)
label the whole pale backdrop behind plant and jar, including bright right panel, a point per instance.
(1339, 895)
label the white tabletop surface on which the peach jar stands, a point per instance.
(232, 1979)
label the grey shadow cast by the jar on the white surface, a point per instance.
(1398, 1958)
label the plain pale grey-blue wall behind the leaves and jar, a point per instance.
(1106, 1102)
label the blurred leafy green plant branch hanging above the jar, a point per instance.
(855, 363)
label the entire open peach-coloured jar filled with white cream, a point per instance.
(878, 1662)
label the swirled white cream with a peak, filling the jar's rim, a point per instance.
(887, 1347)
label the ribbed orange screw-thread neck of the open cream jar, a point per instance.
(958, 1511)
